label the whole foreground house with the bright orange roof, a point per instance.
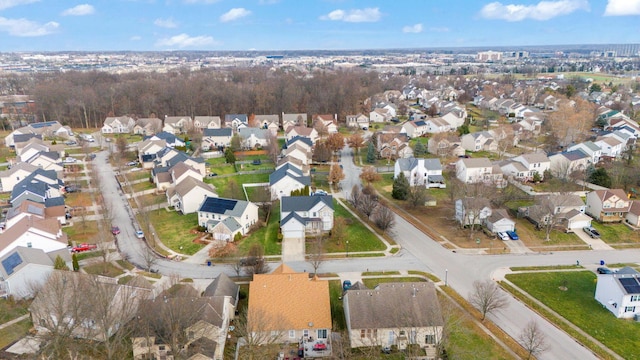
(279, 308)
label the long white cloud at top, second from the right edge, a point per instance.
(544, 10)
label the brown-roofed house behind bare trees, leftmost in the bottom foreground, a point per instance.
(88, 307)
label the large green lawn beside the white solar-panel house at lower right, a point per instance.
(578, 305)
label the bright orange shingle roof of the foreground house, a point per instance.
(287, 300)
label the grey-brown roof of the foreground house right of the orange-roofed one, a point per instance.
(394, 305)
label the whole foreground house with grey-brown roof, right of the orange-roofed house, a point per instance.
(394, 315)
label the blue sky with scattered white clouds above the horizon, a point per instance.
(147, 25)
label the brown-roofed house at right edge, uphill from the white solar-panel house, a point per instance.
(611, 205)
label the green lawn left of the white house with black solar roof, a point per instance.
(174, 229)
